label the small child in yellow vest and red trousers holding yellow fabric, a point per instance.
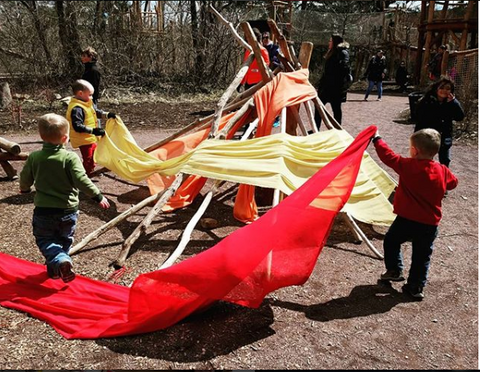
(82, 115)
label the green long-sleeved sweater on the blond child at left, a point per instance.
(58, 176)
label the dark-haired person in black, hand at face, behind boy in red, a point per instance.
(437, 109)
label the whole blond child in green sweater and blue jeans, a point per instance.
(58, 176)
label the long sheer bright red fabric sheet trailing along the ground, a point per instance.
(275, 251)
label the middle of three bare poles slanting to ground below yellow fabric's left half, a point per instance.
(120, 261)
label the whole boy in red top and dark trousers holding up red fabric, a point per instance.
(418, 205)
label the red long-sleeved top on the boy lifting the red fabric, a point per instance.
(421, 186)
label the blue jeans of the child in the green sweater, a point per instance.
(54, 237)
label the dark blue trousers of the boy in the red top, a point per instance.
(421, 236)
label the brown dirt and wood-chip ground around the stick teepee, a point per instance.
(341, 318)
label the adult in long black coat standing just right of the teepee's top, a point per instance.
(336, 77)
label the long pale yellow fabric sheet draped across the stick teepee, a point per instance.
(278, 161)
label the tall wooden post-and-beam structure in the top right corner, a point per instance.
(436, 28)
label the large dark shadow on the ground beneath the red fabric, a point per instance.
(220, 330)
